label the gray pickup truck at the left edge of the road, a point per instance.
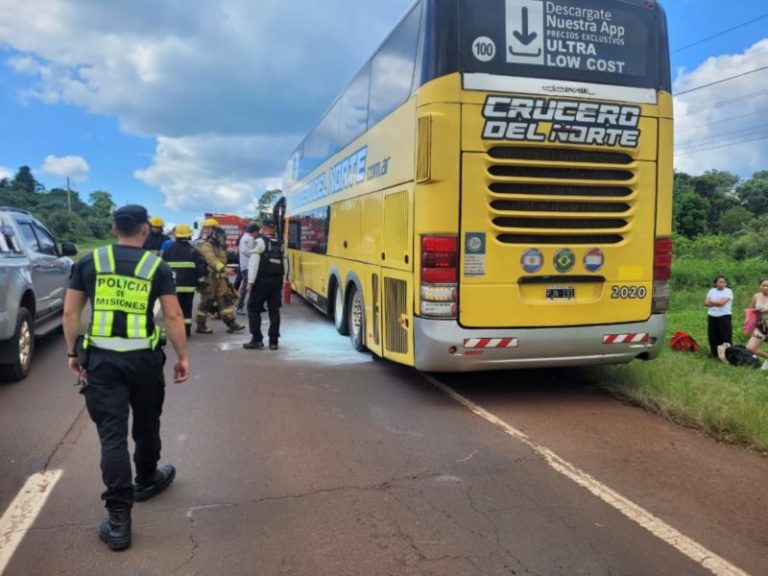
(33, 279)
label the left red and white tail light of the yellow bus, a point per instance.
(439, 276)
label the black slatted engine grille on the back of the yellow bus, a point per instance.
(560, 196)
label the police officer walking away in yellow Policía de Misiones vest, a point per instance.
(120, 360)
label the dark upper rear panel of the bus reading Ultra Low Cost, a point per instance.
(616, 43)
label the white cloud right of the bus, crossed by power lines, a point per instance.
(723, 127)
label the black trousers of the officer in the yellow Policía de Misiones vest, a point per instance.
(119, 382)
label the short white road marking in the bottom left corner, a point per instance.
(23, 511)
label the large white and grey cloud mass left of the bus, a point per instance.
(226, 86)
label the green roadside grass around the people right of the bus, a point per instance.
(692, 388)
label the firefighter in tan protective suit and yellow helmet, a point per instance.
(216, 287)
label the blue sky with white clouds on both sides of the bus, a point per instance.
(195, 106)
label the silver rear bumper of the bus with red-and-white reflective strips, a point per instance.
(444, 346)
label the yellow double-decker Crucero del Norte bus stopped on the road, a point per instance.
(493, 189)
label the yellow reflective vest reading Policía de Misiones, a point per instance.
(116, 294)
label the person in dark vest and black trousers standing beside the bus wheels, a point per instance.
(265, 282)
